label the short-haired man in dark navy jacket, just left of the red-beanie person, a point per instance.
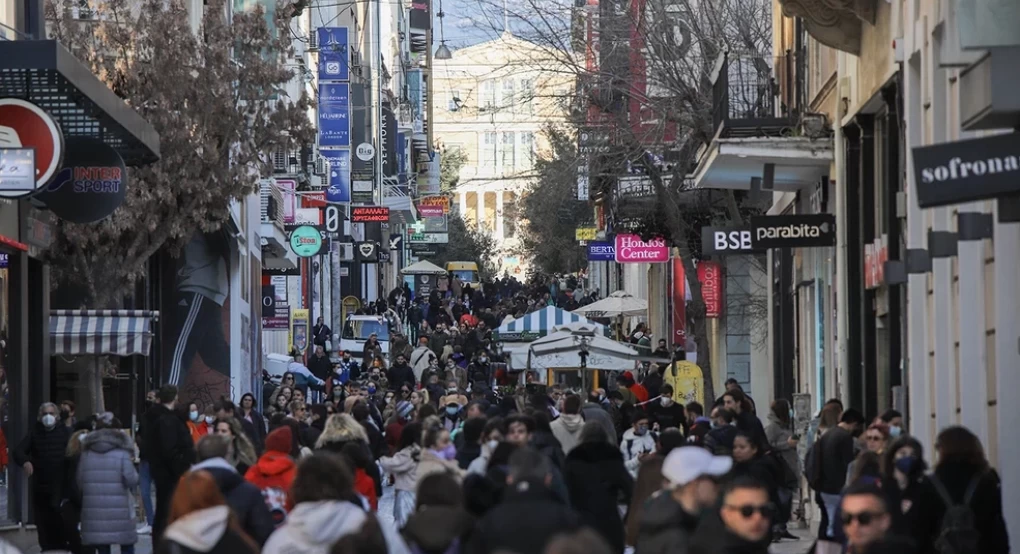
(245, 499)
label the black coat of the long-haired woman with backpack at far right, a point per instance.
(987, 506)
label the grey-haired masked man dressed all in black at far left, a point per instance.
(41, 456)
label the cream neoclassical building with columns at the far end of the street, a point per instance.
(493, 102)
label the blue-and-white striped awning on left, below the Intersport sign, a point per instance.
(121, 333)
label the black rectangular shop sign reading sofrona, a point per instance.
(967, 171)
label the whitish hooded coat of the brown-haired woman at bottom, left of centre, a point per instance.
(313, 528)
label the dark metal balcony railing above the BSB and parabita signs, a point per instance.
(745, 97)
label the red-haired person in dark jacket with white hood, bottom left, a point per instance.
(201, 522)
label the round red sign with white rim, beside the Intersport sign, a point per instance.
(24, 125)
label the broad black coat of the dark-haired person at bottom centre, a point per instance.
(537, 517)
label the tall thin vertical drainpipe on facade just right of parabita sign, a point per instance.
(841, 243)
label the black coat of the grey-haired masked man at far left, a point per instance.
(45, 449)
